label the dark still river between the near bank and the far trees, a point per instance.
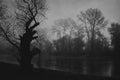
(82, 65)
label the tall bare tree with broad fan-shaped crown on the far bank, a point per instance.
(93, 21)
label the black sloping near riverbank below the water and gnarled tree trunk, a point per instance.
(12, 71)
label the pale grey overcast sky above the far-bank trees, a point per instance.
(70, 8)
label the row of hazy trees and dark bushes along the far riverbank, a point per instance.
(85, 37)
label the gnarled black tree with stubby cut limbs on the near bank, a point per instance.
(27, 14)
